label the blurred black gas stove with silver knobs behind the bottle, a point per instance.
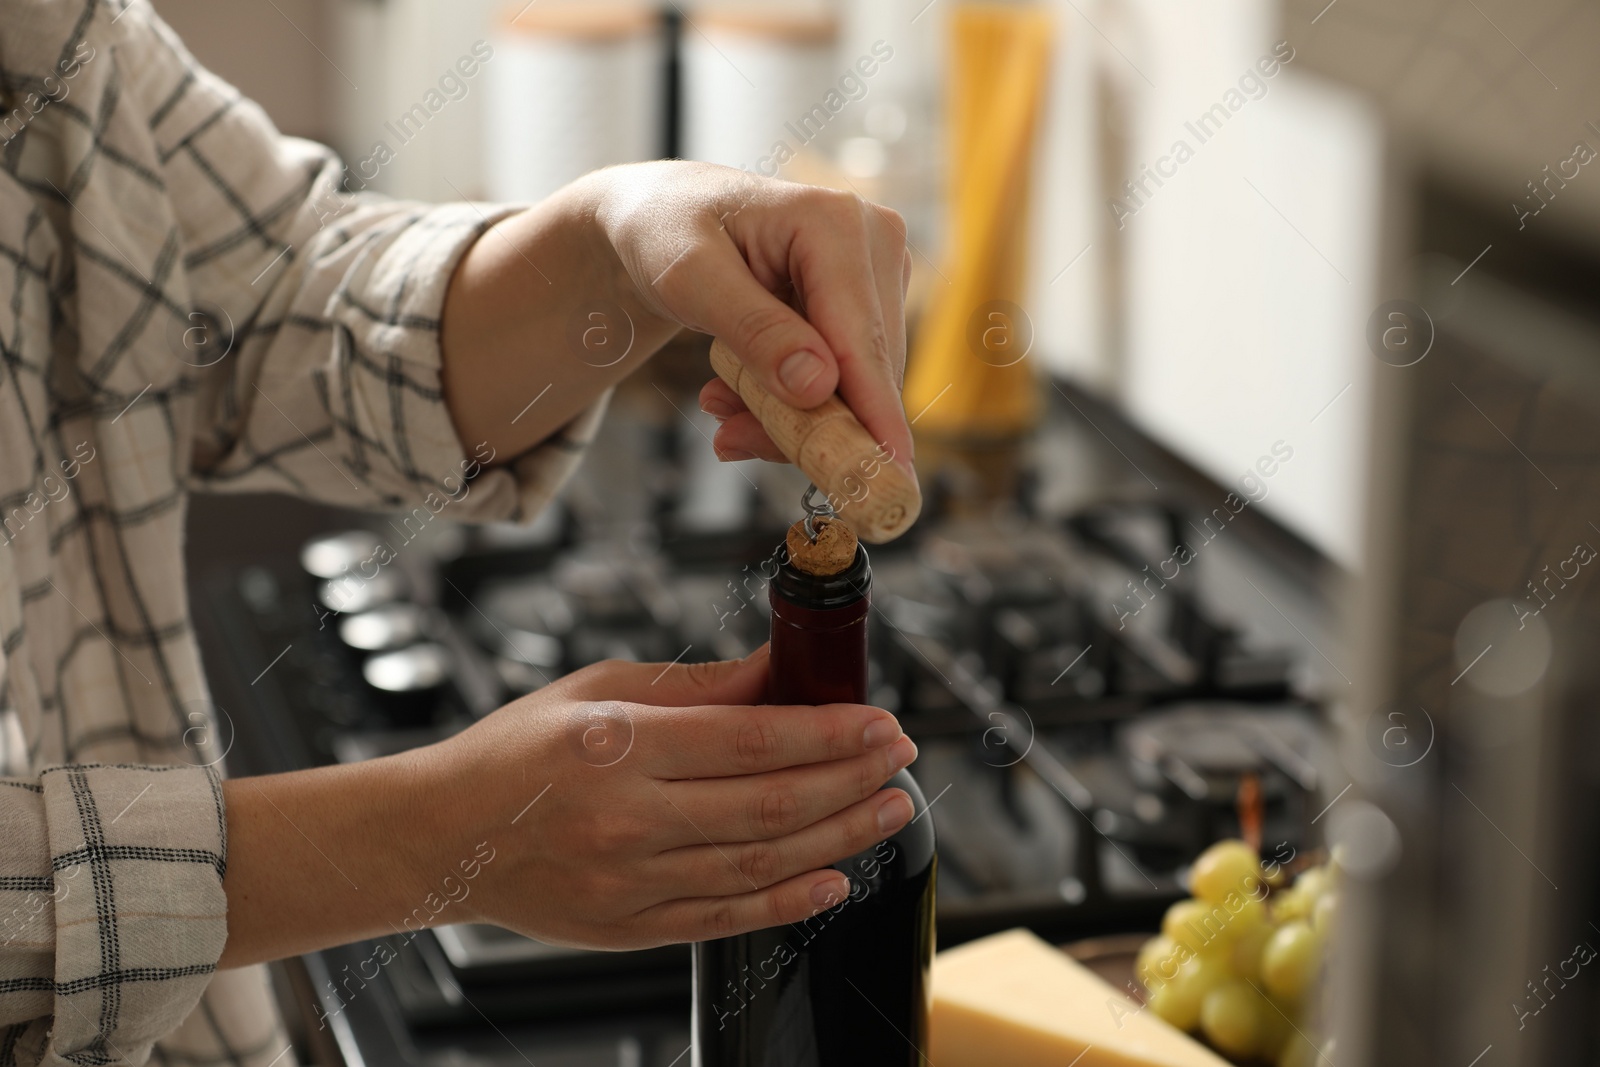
(1076, 754)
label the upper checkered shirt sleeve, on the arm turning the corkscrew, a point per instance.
(316, 316)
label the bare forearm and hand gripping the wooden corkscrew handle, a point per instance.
(559, 303)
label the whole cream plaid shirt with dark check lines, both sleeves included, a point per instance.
(188, 303)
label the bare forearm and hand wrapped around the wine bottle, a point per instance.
(622, 807)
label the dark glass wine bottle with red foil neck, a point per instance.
(850, 985)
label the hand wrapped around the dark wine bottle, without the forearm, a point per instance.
(634, 805)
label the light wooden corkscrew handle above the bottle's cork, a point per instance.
(866, 487)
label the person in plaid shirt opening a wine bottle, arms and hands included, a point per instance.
(366, 353)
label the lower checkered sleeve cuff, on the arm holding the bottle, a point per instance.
(111, 908)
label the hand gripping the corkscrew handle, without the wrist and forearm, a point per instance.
(732, 255)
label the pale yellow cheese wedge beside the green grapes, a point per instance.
(1012, 1001)
